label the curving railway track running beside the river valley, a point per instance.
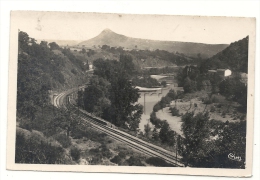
(62, 101)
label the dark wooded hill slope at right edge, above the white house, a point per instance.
(234, 57)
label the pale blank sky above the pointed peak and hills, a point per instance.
(83, 26)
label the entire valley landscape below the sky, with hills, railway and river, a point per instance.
(114, 100)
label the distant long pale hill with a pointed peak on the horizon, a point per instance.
(110, 38)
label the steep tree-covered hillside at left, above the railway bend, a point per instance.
(43, 69)
